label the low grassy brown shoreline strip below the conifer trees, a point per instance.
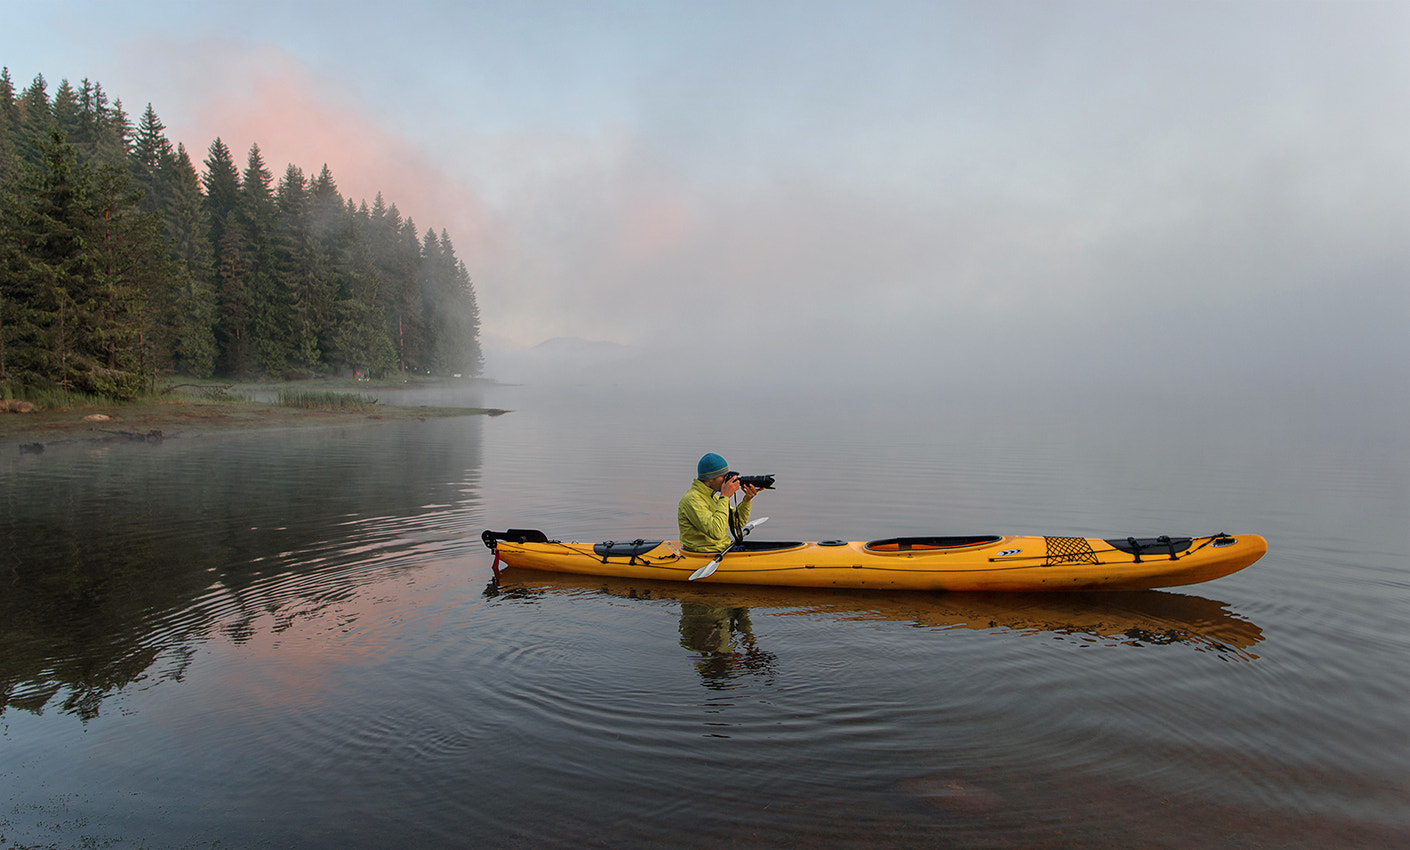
(161, 421)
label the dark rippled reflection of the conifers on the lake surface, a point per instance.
(118, 560)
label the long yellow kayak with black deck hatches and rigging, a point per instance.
(978, 563)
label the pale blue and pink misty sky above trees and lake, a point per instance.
(914, 194)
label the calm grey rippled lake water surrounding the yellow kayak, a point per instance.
(293, 639)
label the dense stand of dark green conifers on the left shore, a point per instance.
(121, 264)
